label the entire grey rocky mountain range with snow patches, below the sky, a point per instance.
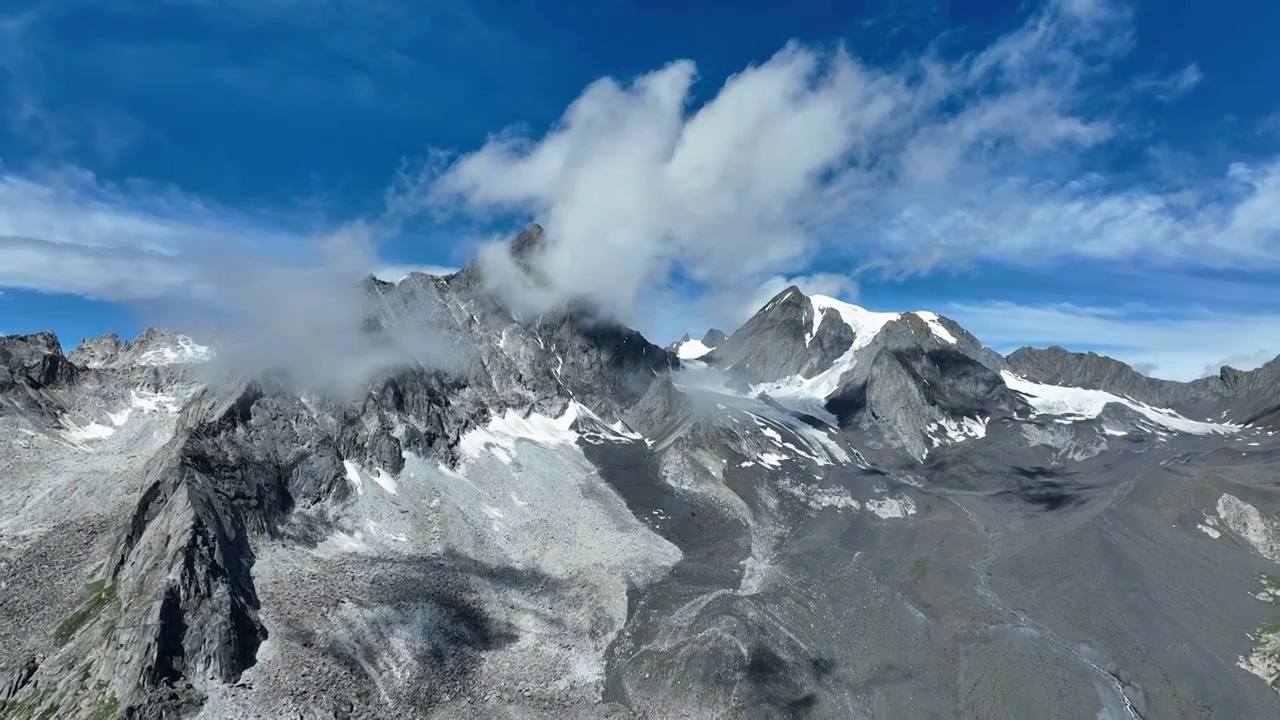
(828, 513)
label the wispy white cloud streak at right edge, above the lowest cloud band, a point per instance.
(1235, 225)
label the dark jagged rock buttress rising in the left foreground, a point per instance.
(241, 463)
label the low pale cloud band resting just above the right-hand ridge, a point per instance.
(1176, 347)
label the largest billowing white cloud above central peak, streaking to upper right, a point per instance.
(930, 162)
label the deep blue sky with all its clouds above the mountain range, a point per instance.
(1103, 175)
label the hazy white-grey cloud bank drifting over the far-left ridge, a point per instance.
(276, 302)
